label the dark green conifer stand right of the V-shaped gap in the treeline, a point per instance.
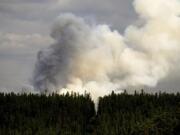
(139, 114)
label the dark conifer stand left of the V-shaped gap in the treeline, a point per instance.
(45, 115)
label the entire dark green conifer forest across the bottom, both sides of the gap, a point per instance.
(73, 114)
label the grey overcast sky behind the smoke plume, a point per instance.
(25, 29)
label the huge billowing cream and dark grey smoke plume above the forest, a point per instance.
(95, 59)
